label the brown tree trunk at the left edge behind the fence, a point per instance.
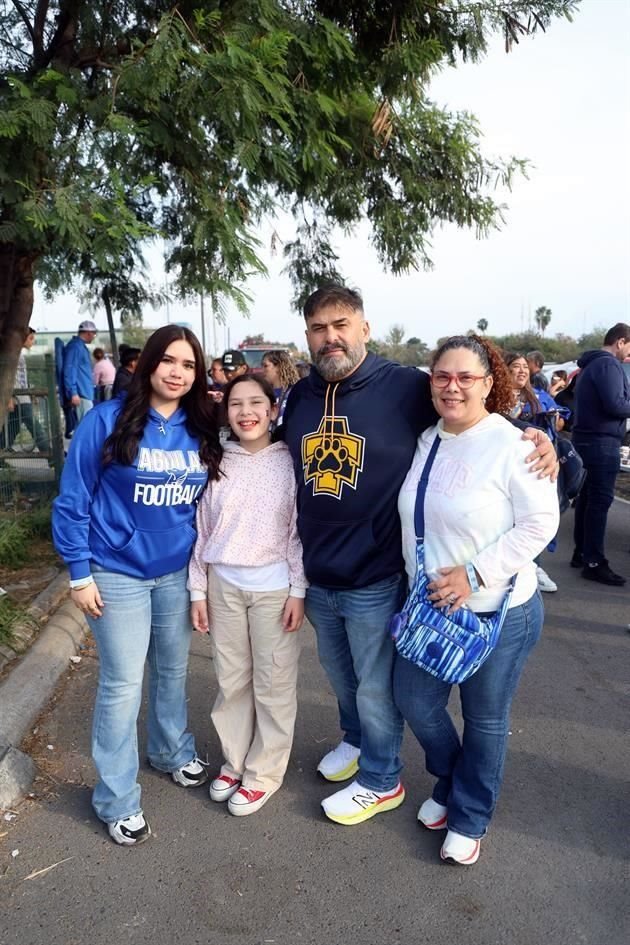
(16, 308)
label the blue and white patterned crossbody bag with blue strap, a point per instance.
(451, 647)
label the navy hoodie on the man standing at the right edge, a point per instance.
(602, 396)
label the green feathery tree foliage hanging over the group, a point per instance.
(123, 123)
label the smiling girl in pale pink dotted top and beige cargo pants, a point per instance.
(247, 589)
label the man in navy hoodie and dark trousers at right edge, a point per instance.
(602, 405)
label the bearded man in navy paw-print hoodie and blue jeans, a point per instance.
(351, 427)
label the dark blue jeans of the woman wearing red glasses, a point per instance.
(469, 773)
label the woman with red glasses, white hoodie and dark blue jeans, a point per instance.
(486, 518)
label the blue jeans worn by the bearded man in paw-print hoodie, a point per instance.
(357, 653)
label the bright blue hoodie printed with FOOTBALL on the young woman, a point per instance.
(136, 520)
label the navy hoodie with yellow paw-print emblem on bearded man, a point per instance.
(352, 443)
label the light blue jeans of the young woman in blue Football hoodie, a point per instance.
(142, 619)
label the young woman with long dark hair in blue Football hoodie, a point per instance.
(124, 524)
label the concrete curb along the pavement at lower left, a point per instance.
(25, 692)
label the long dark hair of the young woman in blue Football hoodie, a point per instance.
(201, 419)
